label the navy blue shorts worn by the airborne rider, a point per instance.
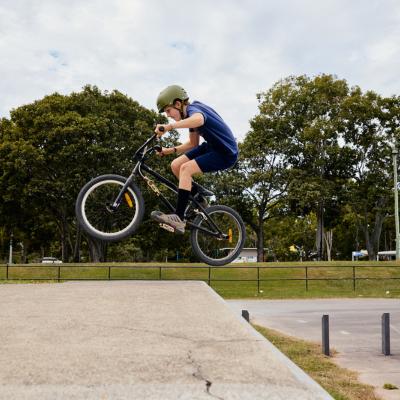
(210, 160)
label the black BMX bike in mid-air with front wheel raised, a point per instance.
(111, 208)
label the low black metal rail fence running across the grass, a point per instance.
(354, 276)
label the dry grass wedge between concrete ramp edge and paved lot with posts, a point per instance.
(341, 383)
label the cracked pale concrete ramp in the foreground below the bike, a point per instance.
(136, 340)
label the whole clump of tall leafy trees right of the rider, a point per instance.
(319, 146)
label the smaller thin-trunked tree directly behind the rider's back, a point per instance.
(258, 182)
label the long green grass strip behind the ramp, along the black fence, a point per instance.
(277, 281)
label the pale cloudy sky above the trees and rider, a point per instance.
(222, 52)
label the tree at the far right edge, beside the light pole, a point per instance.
(370, 131)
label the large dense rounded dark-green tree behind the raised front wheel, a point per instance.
(51, 147)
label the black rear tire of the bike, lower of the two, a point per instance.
(194, 236)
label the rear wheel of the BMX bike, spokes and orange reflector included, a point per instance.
(224, 248)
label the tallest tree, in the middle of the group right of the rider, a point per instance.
(306, 117)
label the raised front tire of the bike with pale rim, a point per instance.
(95, 232)
